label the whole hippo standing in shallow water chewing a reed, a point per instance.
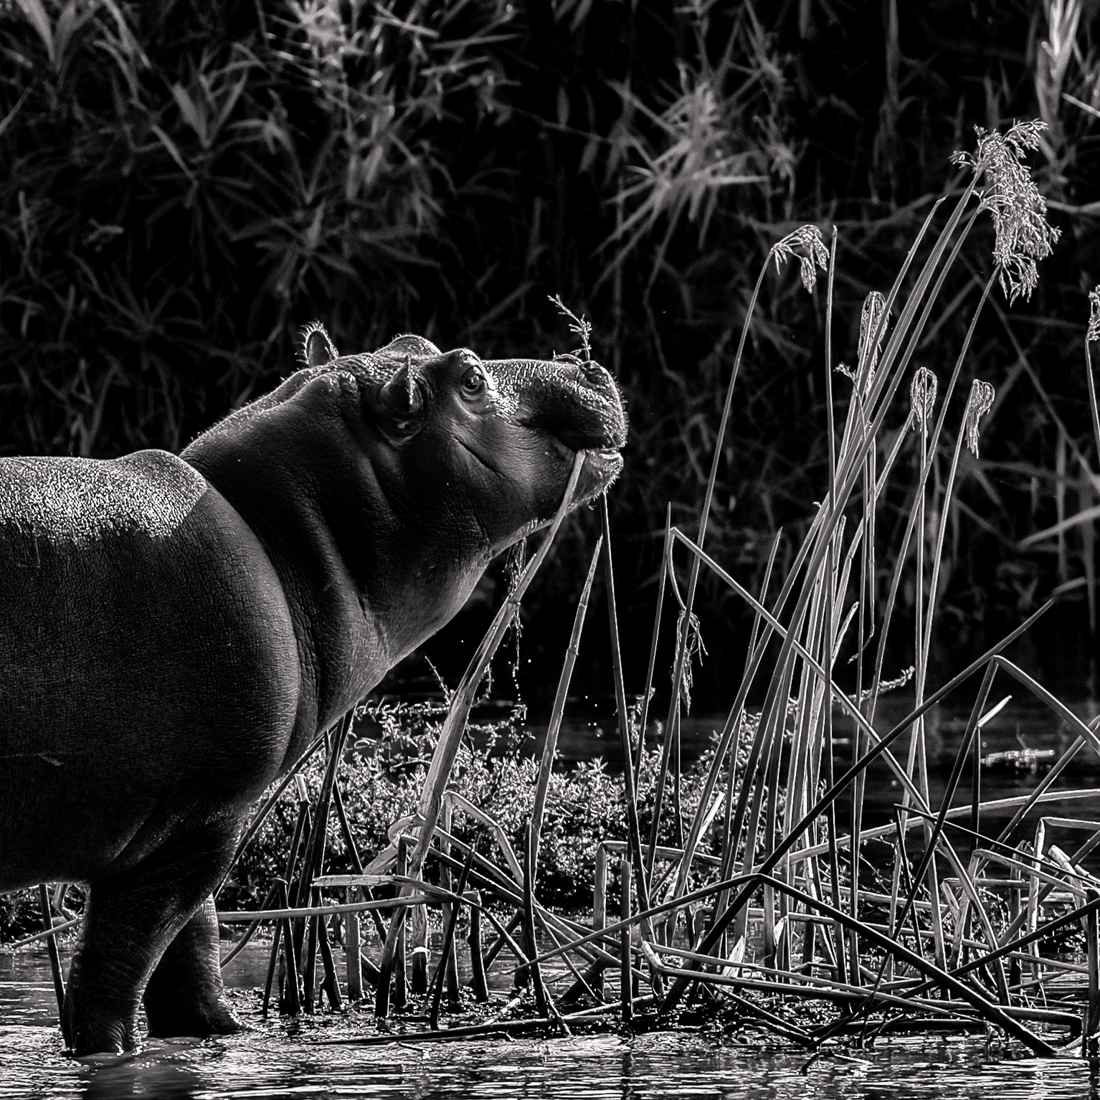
(174, 632)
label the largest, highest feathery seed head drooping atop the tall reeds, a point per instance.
(1024, 236)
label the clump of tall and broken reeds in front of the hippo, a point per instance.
(775, 901)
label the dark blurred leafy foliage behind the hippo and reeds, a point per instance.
(184, 184)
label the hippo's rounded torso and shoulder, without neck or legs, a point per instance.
(149, 669)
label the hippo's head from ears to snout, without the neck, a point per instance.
(500, 435)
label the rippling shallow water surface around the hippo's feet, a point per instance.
(276, 1060)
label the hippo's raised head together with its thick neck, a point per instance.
(382, 485)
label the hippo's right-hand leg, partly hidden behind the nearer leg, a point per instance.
(185, 996)
